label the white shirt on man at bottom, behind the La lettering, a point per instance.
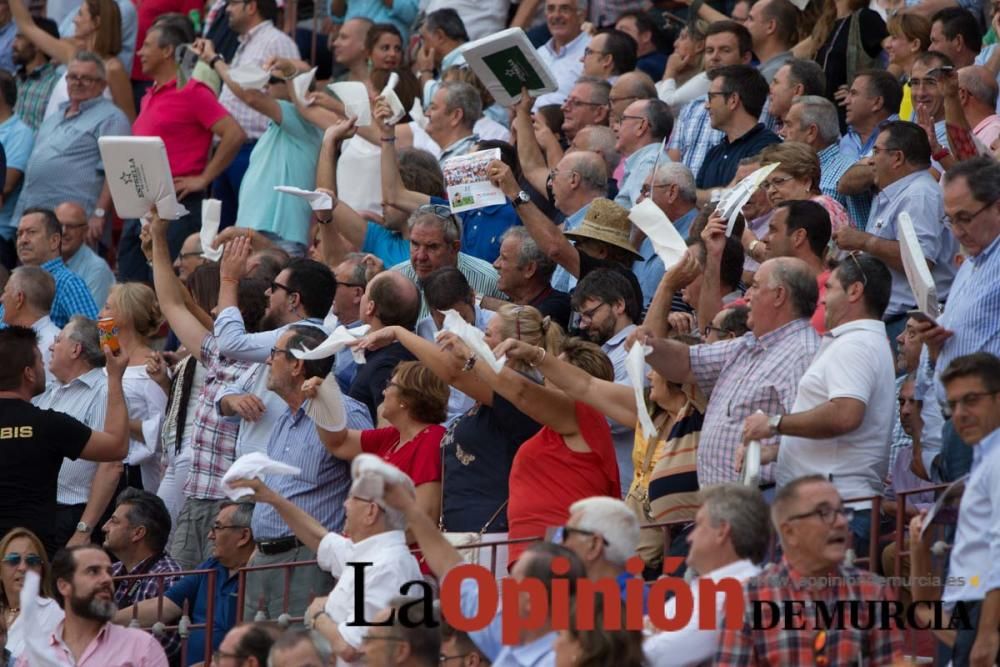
(392, 566)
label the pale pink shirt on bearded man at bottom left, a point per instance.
(114, 646)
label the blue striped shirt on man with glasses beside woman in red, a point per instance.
(320, 490)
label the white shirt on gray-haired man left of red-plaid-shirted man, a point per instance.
(692, 645)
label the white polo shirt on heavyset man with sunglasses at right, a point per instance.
(853, 361)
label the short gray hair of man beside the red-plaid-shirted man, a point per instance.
(744, 509)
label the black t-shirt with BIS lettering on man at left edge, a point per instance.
(33, 443)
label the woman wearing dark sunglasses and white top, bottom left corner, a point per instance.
(20, 551)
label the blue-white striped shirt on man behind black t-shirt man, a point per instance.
(85, 398)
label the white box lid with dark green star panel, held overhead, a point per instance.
(506, 62)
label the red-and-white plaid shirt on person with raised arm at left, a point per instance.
(213, 442)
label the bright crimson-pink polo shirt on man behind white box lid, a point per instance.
(183, 118)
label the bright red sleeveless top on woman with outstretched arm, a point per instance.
(547, 477)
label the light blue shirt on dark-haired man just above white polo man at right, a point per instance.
(919, 195)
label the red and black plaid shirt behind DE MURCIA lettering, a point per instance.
(778, 583)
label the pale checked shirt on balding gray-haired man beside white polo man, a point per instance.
(742, 376)
